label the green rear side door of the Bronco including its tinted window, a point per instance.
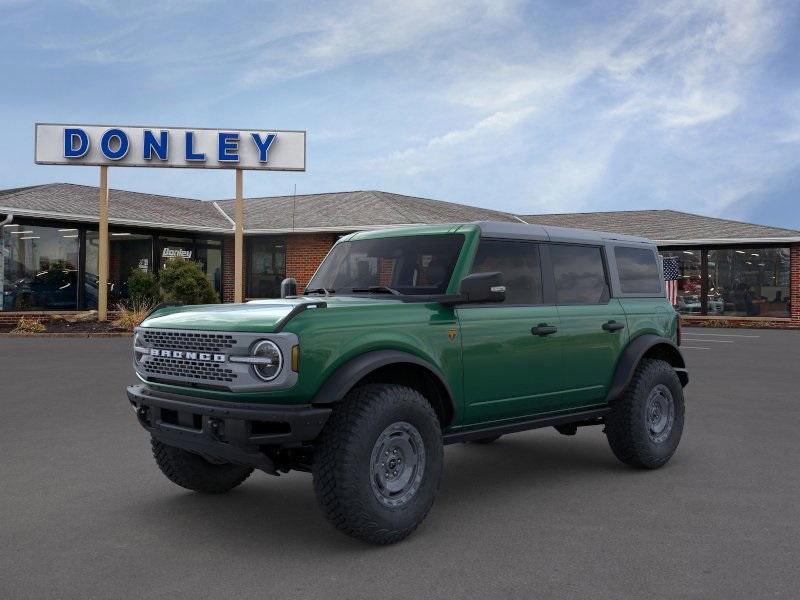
(593, 325)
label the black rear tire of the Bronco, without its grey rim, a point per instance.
(627, 426)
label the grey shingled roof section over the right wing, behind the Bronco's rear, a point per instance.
(667, 226)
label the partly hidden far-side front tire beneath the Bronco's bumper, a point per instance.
(193, 472)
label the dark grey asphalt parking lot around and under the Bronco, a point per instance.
(85, 513)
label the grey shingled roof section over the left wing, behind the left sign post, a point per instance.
(79, 203)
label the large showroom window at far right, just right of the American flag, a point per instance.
(748, 282)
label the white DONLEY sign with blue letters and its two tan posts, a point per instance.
(175, 147)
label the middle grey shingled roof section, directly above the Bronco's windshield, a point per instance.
(351, 211)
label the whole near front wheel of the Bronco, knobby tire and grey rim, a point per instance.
(378, 463)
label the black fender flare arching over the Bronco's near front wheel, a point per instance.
(354, 370)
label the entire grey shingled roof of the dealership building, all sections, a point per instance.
(358, 210)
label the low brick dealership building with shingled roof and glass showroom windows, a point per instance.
(739, 273)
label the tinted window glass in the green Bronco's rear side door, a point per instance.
(580, 276)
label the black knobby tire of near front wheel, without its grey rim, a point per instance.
(343, 462)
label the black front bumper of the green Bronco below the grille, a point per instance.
(225, 431)
